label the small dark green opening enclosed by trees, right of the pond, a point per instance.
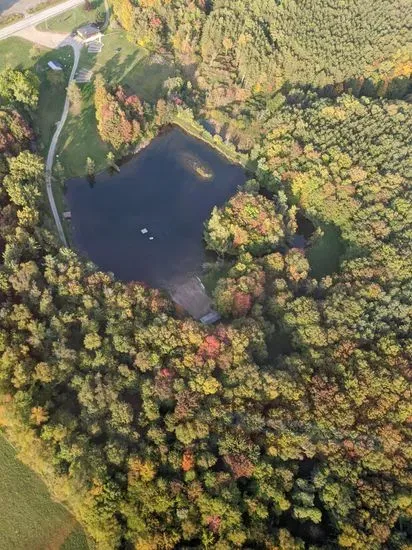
(324, 255)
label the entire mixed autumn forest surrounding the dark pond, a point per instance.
(286, 426)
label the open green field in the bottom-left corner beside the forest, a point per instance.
(29, 518)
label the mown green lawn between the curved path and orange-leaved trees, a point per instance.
(120, 62)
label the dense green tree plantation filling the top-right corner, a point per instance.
(243, 48)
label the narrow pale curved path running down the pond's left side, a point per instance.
(52, 150)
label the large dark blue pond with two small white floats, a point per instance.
(158, 190)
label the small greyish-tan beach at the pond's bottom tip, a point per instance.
(192, 296)
